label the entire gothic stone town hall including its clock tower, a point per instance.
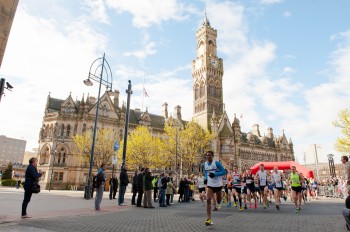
(65, 118)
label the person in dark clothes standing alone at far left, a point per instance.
(32, 176)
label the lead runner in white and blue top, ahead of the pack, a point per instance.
(213, 171)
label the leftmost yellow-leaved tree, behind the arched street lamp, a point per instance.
(103, 151)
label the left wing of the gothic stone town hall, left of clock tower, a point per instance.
(63, 119)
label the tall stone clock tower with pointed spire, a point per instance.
(207, 72)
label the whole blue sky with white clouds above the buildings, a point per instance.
(286, 62)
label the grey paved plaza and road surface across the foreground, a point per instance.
(69, 211)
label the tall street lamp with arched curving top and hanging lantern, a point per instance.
(108, 83)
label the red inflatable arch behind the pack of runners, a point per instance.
(283, 166)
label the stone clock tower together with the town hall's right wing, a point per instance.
(230, 145)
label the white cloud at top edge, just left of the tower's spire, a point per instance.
(148, 12)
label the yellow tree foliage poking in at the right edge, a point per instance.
(343, 122)
